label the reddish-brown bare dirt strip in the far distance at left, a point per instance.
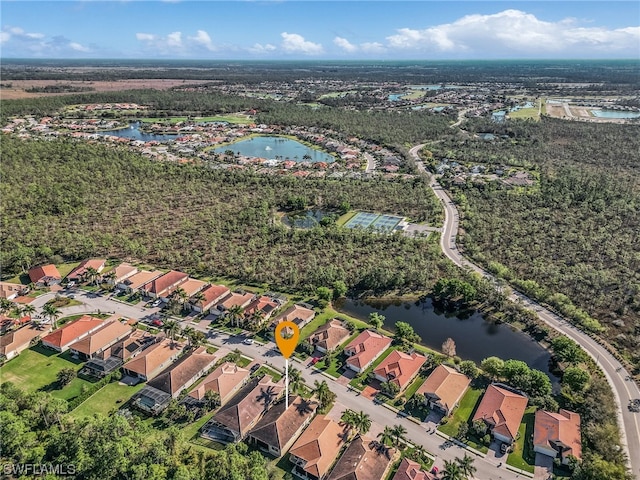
(18, 87)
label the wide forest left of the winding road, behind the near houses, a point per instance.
(68, 199)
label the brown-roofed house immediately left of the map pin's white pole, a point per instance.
(233, 422)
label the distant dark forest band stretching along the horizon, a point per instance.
(611, 72)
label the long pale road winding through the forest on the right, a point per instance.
(619, 379)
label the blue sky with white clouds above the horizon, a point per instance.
(417, 30)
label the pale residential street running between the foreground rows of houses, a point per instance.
(487, 468)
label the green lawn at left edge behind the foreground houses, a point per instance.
(36, 369)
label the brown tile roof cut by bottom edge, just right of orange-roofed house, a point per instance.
(362, 460)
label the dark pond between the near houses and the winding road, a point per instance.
(475, 337)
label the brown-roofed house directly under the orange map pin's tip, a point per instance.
(280, 427)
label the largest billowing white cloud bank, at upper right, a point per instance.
(515, 32)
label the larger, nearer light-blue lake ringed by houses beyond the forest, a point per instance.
(276, 148)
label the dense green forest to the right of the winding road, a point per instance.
(572, 239)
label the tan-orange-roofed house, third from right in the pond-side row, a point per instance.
(444, 388)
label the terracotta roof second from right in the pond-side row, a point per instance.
(502, 410)
